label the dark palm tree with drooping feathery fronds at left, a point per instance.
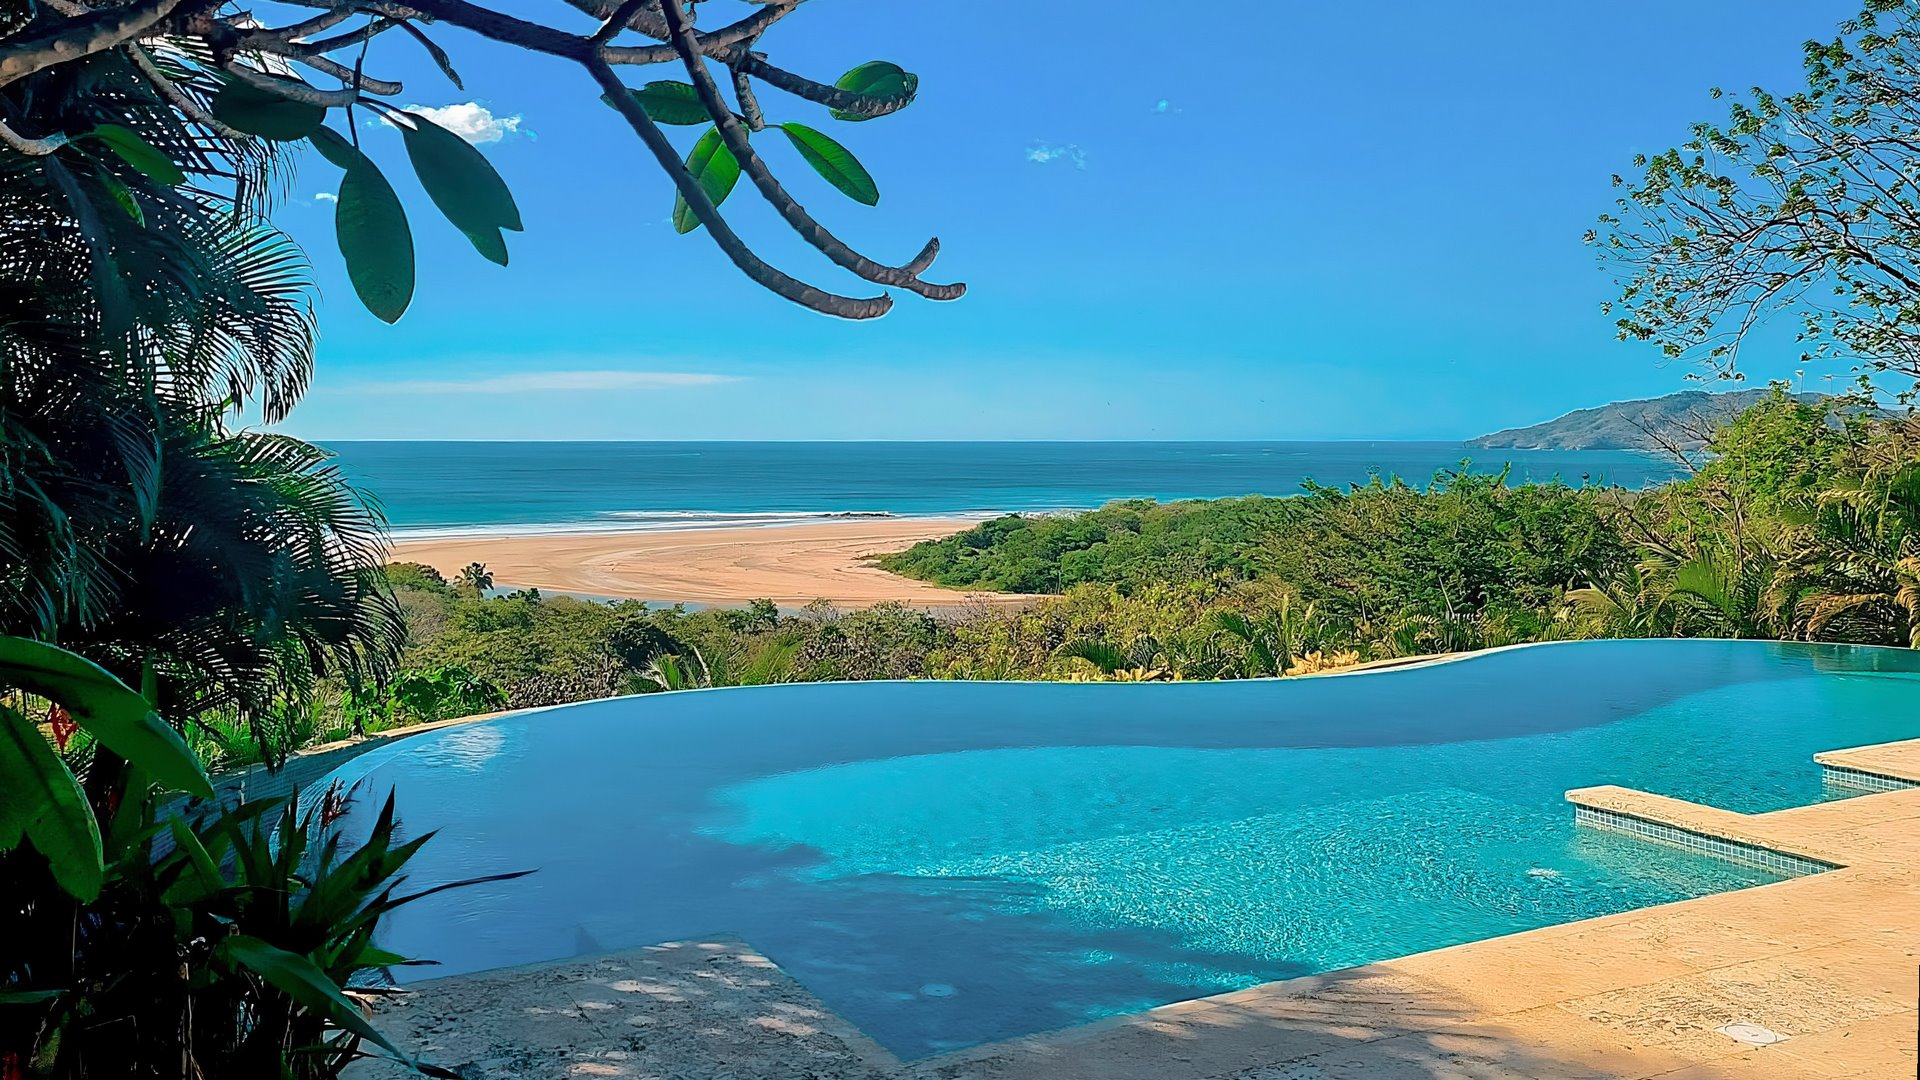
(141, 301)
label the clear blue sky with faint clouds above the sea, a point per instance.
(1262, 222)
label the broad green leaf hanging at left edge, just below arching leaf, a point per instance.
(45, 804)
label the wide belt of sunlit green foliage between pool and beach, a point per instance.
(1800, 526)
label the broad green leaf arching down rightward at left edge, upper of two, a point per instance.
(107, 708)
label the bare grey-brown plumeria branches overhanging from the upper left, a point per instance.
(260, 57)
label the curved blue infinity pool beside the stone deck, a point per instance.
(949, 864)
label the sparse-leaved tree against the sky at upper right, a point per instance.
(1800, 203)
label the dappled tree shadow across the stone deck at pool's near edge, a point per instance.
(717, 1010)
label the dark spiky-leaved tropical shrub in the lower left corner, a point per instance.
(149, 937)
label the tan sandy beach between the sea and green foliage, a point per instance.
(792, 566)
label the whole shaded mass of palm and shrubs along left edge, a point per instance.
(201, 583)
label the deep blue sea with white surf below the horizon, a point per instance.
(571, 487)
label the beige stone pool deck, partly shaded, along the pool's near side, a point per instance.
(1829, 960)
